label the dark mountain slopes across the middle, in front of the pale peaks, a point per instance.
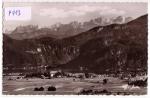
(111, 48)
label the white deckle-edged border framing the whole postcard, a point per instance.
(71, 96)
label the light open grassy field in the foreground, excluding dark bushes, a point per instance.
(65, 86)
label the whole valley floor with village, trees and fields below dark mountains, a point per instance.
(58, 82)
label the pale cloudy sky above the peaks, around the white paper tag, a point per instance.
(47, 14)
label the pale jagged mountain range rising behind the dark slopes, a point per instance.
(60, 30)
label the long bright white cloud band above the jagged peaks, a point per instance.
(57, 12)
